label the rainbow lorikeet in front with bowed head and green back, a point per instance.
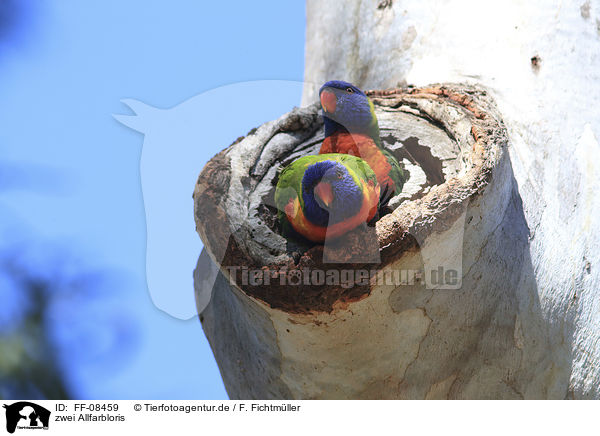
(326, 195)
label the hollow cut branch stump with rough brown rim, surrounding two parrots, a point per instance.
(385, 339)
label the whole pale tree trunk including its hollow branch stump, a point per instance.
(523, 320)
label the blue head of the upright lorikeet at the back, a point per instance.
(347, 109)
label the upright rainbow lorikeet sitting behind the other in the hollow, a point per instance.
(351, 128)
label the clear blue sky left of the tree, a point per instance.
(64, 67)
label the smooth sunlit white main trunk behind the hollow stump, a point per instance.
(541, 62)
